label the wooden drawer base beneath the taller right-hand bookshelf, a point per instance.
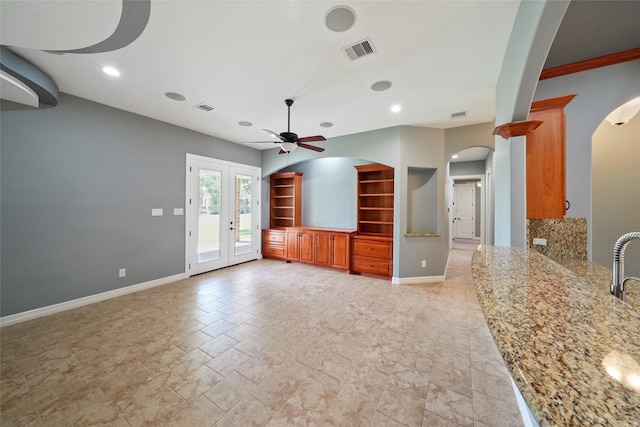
(372, 255)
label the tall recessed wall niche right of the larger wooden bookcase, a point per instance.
(422, 201)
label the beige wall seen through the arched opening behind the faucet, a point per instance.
(616, 193)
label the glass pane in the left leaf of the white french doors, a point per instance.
(209, 190)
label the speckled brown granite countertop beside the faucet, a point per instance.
(573, 349)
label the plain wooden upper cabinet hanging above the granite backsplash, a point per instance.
(546, 160)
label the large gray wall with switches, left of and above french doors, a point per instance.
(78, 185)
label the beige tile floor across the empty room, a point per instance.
(263, 343)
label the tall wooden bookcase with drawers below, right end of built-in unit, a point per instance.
(372, 247)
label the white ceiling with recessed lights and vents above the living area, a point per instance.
(246, 57)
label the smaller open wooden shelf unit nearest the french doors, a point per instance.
(285, 199)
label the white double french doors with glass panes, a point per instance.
(223, 214)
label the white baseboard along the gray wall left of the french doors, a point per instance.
(79, 302)
